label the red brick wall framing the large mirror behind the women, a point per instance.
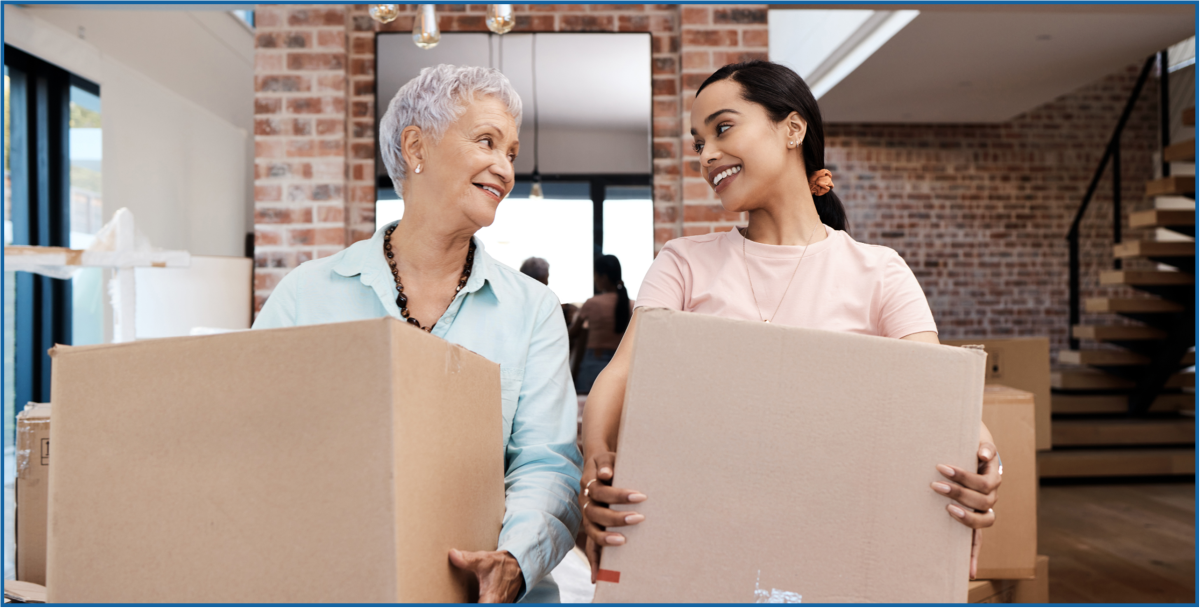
(315, 109)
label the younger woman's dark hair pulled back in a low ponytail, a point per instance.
(782, 92)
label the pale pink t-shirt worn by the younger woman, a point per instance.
(841, 286)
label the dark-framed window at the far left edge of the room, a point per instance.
(52, 198)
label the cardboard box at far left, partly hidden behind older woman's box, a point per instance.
(33, 480)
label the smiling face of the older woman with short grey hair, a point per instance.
(470, 170)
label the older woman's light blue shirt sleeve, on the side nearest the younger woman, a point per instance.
(543, 462)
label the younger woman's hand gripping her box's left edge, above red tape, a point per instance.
(596, 496)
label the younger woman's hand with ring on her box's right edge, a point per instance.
(975, 495)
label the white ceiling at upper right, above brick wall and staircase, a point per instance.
(988, 64)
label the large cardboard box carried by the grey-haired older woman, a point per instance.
(328, 463)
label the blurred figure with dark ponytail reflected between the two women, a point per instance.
(601, 324)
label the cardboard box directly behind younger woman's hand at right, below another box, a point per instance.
(1011, 546)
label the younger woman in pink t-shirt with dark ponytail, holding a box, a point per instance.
(761, 143)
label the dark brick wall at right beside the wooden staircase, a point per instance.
(981, 212)
